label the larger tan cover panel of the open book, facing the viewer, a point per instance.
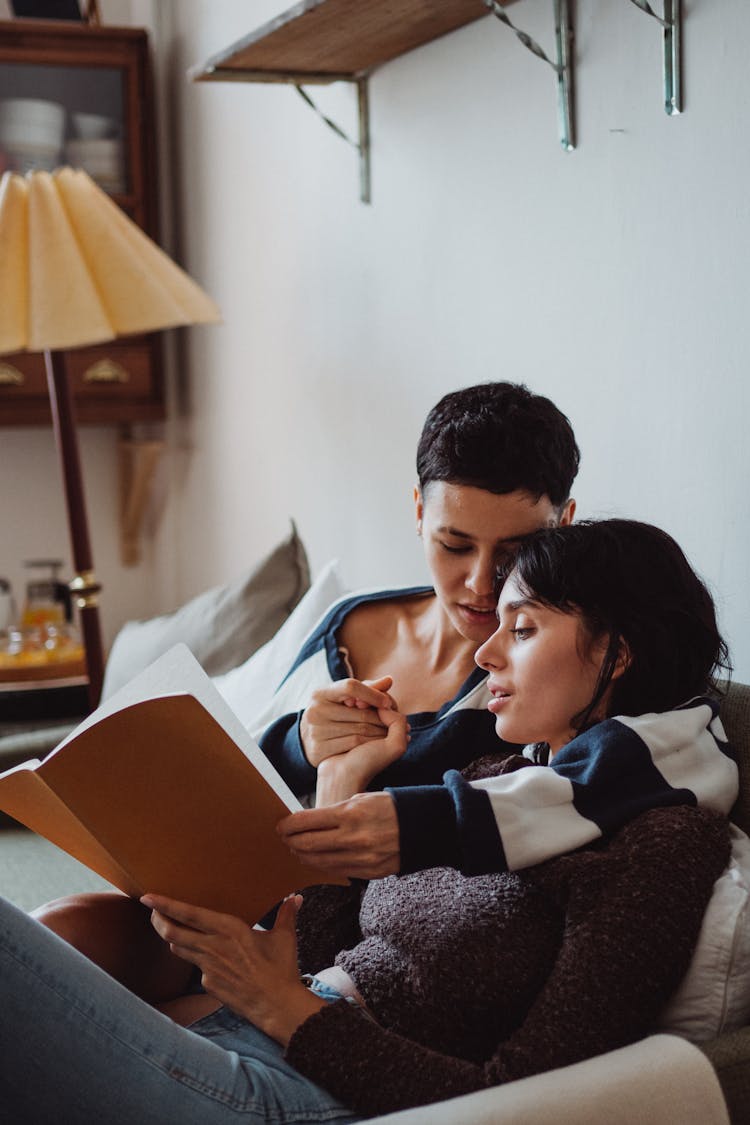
(164, 789)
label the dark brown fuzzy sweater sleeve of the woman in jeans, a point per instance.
(622, 956)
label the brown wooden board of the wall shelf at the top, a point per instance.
(326, 41)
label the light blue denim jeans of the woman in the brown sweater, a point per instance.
(78, 1048)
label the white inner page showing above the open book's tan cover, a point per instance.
(179, 673)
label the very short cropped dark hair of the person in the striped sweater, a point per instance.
(502, 438)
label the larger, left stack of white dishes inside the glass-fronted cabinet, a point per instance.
(32, 133)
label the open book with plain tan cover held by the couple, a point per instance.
(162, 789)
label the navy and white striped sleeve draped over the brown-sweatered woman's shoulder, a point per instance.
(597, 784)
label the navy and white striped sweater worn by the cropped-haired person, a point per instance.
(599, 782)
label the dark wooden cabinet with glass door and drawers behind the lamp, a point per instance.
(101, 77)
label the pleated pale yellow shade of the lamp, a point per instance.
(76, 271)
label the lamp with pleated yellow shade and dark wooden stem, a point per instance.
(75, 271)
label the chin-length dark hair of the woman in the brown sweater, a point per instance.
(632, 584)
